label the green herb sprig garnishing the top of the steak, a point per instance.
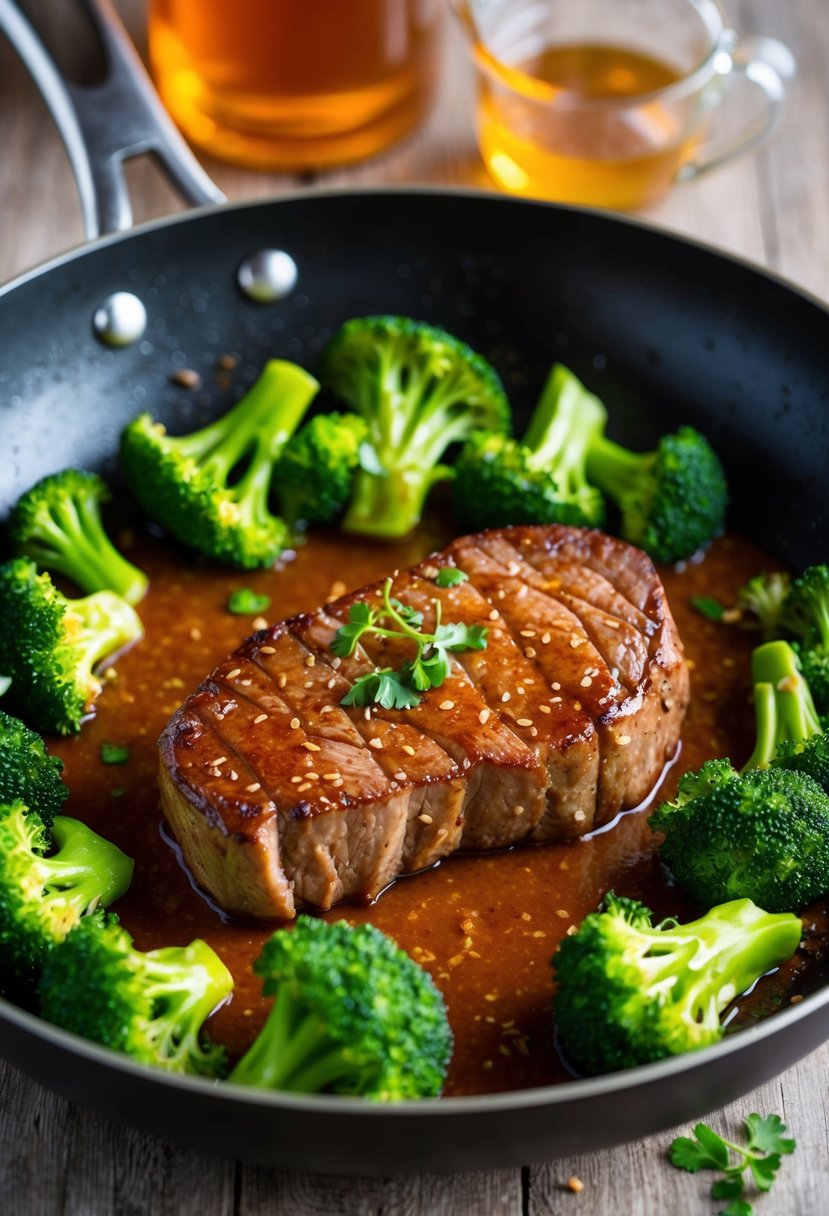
(403, 688)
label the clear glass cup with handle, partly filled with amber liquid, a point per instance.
(610, 103)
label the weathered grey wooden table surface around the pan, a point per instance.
(57, 1157)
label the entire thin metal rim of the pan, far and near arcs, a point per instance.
(561, 1095)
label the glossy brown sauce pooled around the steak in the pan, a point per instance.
(486, 927)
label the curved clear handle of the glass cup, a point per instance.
(760, 61)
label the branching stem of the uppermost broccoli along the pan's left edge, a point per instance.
(74, 542)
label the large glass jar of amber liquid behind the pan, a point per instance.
(295, 85)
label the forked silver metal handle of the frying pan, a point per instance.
(108, 123)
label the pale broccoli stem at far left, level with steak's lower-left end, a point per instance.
(87, 870)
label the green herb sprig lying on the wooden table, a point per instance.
(766, 1145)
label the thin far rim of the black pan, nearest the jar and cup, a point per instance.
(426, 190)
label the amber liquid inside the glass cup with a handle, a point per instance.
(571, 148)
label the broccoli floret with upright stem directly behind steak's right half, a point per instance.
(540, 480)
